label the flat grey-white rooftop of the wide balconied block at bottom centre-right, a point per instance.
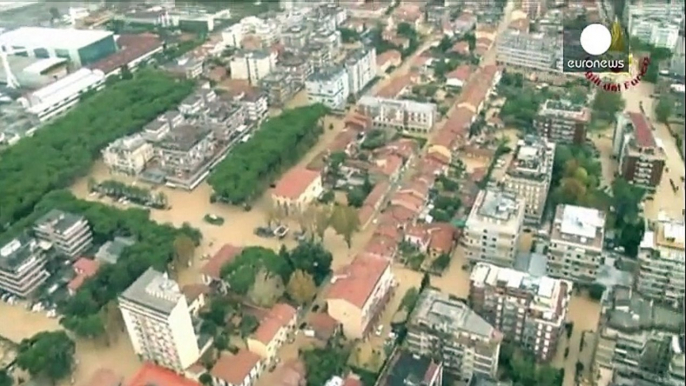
(442, 312)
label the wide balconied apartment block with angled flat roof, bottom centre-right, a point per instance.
(442, 326)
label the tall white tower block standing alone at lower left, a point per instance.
(159, 323)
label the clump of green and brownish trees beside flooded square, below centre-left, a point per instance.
(260, 273)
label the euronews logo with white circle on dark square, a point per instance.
(602, 49)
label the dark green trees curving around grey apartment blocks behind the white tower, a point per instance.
(92, 311)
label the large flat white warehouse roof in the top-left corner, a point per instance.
(37, 37)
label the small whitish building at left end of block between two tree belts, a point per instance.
(128, 155)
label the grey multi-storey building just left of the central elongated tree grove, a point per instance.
(183, 154)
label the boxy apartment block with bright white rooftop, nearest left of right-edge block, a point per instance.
(576, 243)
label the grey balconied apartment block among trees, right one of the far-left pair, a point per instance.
(69, 234)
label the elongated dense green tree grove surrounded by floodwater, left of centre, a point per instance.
(251, 167)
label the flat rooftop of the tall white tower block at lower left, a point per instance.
(153, 290)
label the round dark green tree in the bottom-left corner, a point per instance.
(48, 355)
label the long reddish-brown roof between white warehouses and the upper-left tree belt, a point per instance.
(131, 47)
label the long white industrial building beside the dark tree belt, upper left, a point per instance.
(58, 97)
